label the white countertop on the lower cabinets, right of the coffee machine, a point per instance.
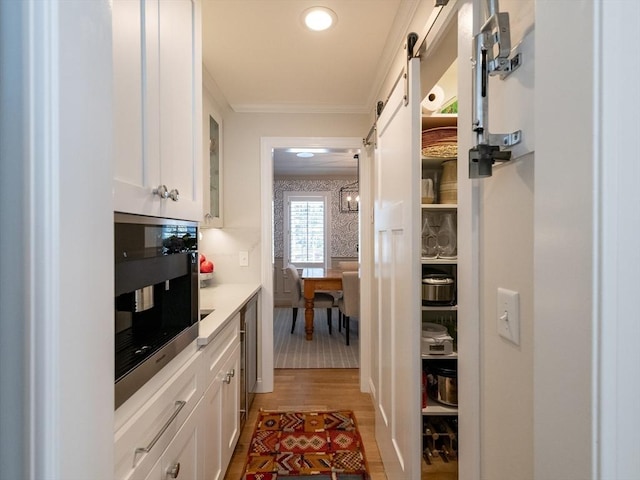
(225, 300)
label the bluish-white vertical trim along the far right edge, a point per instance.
(616, 440)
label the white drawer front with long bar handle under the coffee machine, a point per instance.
(141, 440)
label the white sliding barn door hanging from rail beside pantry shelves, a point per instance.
(397, 278)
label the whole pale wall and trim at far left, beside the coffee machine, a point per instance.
(61, 270)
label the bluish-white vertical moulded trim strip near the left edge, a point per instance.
(43, 219)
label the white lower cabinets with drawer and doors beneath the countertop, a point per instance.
(189, 427)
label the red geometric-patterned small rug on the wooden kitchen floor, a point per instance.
(300, 445)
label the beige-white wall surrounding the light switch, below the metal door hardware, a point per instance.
(506, 233)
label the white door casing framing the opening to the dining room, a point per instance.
(267, 145)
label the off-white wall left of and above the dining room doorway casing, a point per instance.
(242, 206)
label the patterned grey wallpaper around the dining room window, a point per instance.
(344, 226)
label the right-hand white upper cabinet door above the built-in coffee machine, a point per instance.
(180, 98)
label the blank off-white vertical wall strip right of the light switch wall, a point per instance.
(564, 207)
